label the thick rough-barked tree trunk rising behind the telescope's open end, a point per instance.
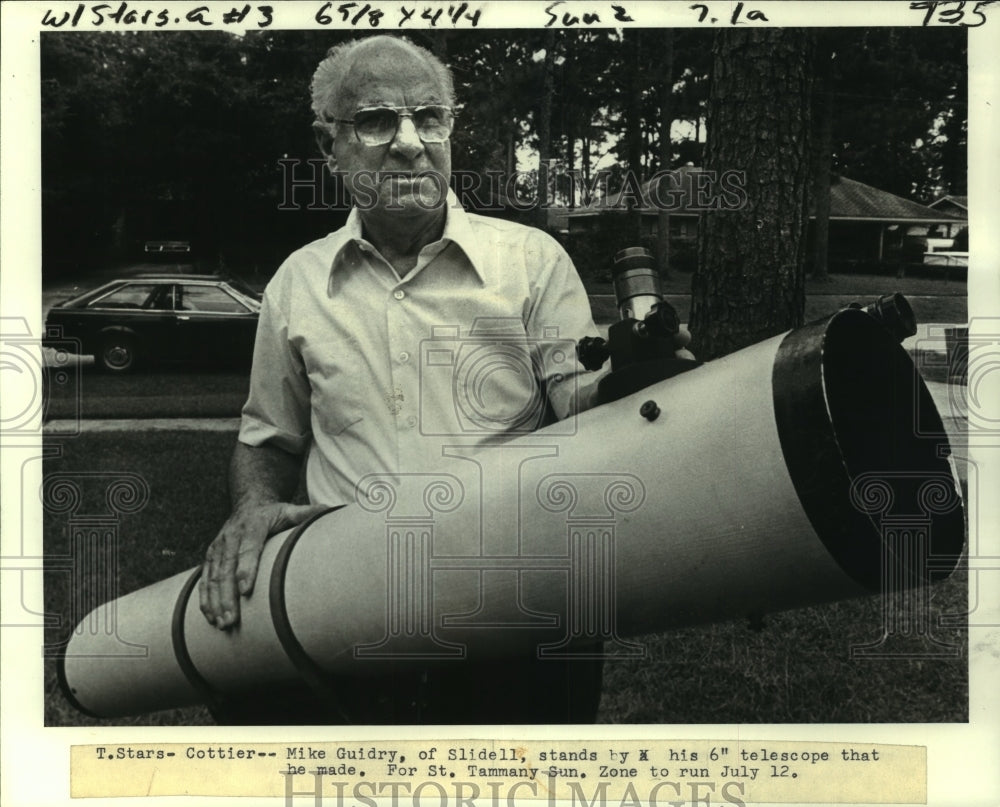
(750, 282)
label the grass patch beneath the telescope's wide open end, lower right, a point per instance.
(796, 668)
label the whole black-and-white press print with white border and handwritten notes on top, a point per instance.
(437, 368)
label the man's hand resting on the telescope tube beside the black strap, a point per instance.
(230, 568)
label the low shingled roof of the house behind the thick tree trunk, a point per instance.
(850, 200)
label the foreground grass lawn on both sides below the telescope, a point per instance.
(796, 667)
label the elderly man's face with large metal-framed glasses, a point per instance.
(392, 76)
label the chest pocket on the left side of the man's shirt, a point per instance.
(337, 376)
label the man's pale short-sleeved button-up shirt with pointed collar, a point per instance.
(369, 373)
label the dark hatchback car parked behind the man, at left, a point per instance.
(162, 317)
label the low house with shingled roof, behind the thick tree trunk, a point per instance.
(867, 225)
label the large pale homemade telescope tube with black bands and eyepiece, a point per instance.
(808, 468)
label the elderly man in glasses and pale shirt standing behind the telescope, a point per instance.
(335, 377)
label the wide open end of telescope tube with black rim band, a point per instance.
(862, 441)
